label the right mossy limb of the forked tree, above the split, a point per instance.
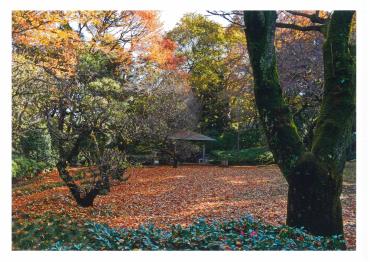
(337, 111)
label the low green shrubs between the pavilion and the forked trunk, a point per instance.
(251, 156)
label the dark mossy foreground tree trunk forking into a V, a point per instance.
(314, 177)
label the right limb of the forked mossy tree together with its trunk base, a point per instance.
(314, 193)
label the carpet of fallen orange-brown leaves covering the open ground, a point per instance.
(164, 195)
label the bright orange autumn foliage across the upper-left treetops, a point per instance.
(54, 39)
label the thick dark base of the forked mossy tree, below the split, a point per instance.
(313, 198)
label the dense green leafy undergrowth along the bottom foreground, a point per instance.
(51, 232)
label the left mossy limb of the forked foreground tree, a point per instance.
(274, 113)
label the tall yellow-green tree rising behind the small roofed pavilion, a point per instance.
(202, 43)
